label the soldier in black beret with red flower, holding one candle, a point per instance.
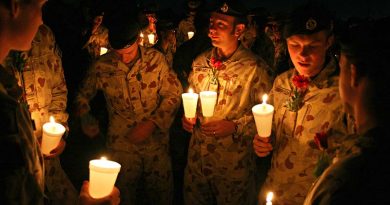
(307, 108)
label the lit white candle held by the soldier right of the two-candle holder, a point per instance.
(263, 114)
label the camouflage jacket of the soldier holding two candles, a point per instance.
(240, 83)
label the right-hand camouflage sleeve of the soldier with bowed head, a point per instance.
(170, 90)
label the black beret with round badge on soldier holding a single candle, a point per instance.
(308, 19)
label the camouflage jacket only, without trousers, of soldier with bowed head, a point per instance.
(149, 90)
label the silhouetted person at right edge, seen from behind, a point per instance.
(362, 178)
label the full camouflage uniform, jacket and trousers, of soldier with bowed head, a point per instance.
(149, 90)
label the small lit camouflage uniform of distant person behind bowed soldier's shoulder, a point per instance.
(97, 40)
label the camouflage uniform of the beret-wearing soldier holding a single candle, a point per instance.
(295, 154)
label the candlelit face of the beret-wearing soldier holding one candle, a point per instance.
(308, 52)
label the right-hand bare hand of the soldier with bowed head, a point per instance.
(141, 132)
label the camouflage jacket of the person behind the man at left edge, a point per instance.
(39, 71)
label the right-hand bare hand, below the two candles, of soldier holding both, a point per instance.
(221, 128)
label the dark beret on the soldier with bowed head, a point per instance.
(124, 33)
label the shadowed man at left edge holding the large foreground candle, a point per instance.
(21, 161)
